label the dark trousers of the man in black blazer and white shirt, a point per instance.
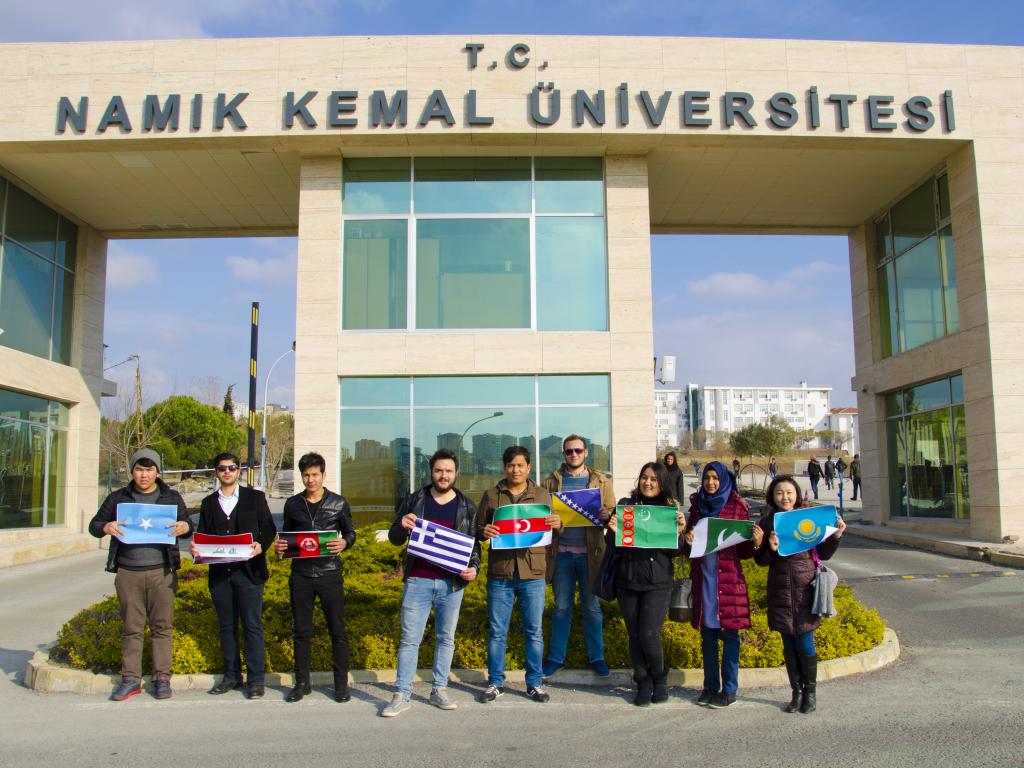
(236, 598)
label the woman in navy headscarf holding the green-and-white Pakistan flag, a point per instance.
(721, 606)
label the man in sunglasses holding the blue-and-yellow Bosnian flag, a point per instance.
(578, 562)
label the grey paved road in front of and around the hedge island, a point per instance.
(956, 698)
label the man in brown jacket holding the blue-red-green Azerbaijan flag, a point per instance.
(518, 574)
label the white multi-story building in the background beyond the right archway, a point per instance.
(723, 410)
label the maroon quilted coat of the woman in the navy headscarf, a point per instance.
(734, 603)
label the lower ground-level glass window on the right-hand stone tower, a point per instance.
(928, 467)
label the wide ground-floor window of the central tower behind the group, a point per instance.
(392, 426)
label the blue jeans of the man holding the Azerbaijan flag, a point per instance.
(502, 593)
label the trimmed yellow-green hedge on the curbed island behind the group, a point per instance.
(92, 641)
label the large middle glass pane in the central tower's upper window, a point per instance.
(473, 274)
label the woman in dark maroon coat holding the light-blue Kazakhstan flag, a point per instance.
(791, 594)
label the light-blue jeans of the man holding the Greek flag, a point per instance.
(419, 596)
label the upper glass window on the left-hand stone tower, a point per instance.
(37, 260)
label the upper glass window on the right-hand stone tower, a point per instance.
(917, 280)
